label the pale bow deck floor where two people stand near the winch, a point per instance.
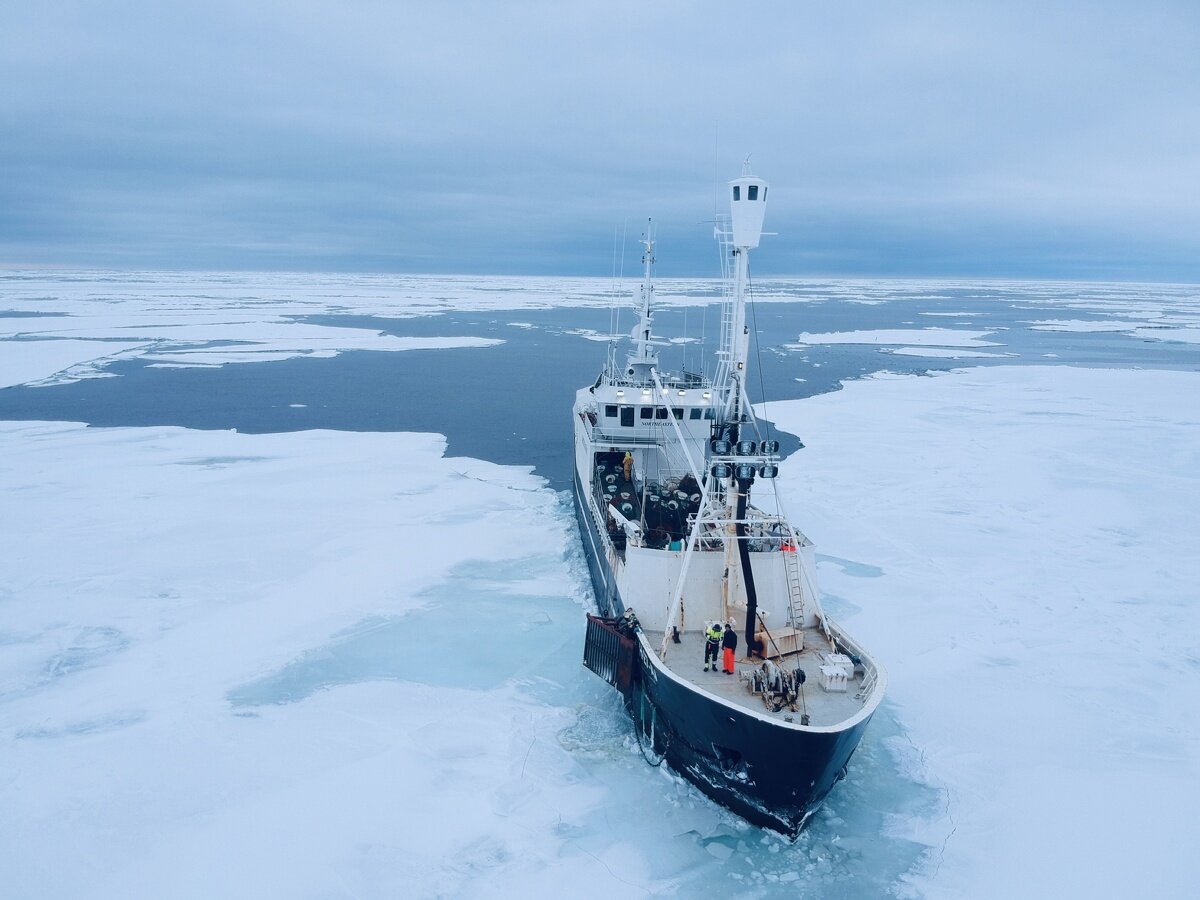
(825, 709)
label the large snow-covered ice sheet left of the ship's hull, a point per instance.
(151, 574)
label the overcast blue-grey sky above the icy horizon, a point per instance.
(1051, 140)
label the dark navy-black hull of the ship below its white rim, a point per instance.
(772, 775)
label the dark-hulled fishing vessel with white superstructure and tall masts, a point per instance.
(685, 535)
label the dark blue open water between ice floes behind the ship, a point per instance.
(509, 404)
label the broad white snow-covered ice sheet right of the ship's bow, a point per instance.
(1035, 531)
